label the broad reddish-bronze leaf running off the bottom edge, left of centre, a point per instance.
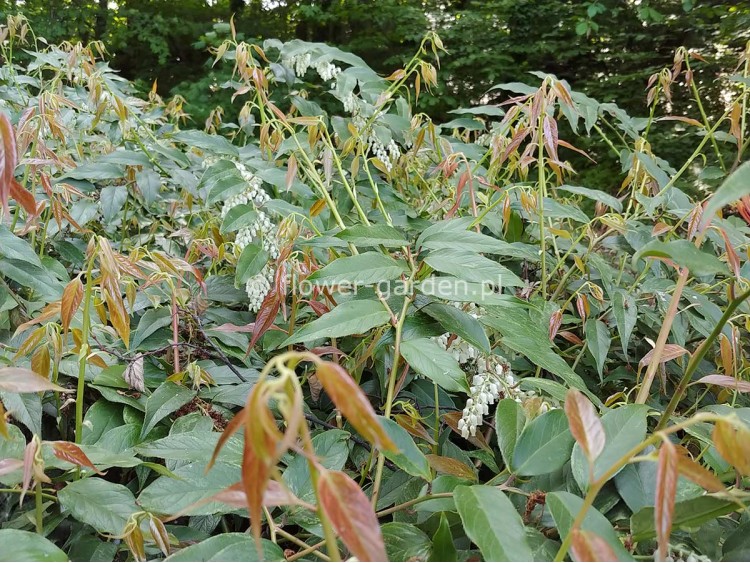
(351, 515)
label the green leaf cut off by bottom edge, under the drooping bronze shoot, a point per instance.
(229, 547)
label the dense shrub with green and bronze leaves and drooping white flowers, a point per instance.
(352, 330)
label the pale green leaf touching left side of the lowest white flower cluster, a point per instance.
(431, 360)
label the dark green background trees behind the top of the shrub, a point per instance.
(605, 48)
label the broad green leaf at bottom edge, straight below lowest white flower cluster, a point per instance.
(492, 523)
